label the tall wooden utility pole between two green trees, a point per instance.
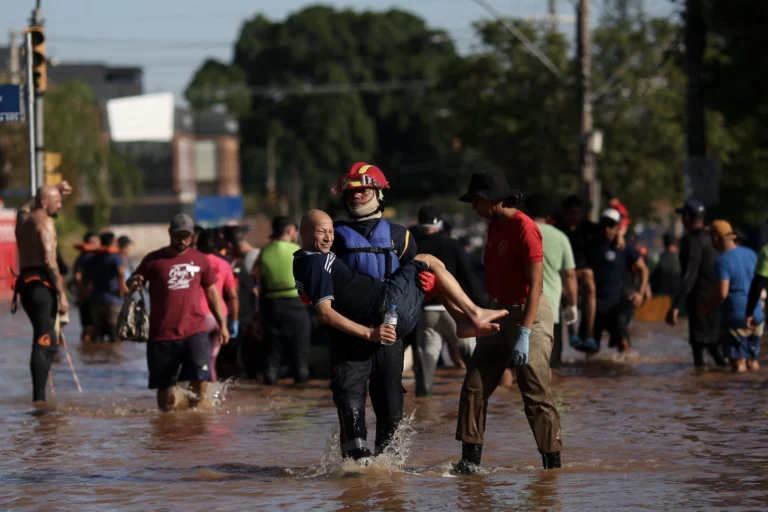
(587, 160)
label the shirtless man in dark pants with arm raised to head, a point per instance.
(39, 285)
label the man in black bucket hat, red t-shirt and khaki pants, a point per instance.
(514, 272)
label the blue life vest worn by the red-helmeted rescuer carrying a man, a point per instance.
(375, 255)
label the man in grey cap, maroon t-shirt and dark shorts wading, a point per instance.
(177, 276)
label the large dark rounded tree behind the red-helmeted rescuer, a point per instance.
(288, 67)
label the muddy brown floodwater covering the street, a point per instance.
(649, 434)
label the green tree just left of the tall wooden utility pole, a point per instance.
(517, 114)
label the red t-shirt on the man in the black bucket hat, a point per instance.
(512, 244)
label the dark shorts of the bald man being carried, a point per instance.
(403, 290)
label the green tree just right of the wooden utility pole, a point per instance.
(640, 105)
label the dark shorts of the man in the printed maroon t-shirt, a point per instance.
(190, 355)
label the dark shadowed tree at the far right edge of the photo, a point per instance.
(736, 97)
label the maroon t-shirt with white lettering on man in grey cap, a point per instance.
(176, 282)
